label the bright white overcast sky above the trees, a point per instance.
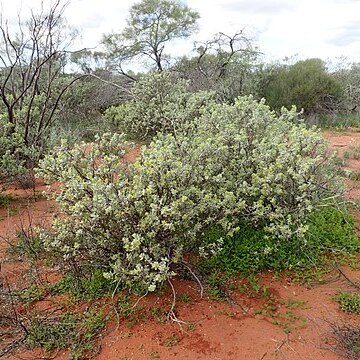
(310, 28)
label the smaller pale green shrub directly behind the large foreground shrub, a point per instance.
(162, 103)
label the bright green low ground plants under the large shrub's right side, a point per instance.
(331, 232)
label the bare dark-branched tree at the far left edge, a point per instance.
(32, 62)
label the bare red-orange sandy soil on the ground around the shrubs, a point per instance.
(226, 330)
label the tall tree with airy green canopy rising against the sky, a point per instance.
(151, 25)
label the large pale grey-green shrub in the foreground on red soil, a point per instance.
(240, 163)
